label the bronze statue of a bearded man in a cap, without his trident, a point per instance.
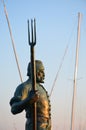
(24, 98)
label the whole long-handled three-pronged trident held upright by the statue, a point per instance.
(32, 43)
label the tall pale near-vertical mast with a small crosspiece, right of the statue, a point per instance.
(75, 74)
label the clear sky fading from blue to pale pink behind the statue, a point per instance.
(56, 27)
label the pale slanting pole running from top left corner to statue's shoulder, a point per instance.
(6, 14)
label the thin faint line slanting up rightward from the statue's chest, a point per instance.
(60, 66)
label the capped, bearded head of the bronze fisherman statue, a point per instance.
(40, 75)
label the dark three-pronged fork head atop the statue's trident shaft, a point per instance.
(32, 33)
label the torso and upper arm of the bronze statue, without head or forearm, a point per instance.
(43, 105)
